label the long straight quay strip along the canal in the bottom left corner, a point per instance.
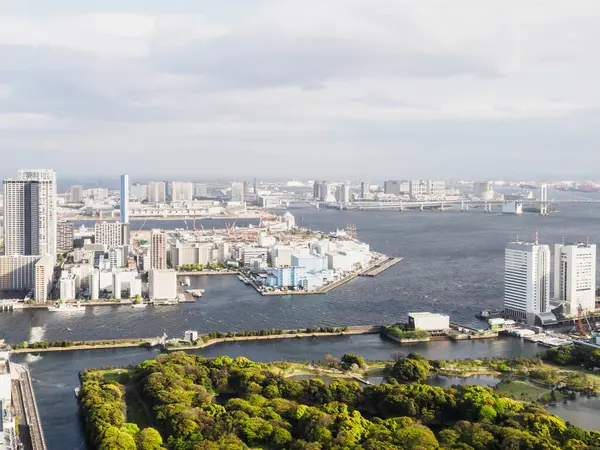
(26, 409)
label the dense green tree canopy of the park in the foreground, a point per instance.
(224, 403)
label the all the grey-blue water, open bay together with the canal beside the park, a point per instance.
(453, 264)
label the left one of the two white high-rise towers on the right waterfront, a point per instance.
(526, 280)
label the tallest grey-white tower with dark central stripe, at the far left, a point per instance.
(30, 213)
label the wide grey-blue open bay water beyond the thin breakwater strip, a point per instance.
(453, 264)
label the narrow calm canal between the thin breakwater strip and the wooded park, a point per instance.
(55, 374)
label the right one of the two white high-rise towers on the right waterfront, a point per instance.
(575, 276)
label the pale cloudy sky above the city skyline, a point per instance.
(301, 88)
